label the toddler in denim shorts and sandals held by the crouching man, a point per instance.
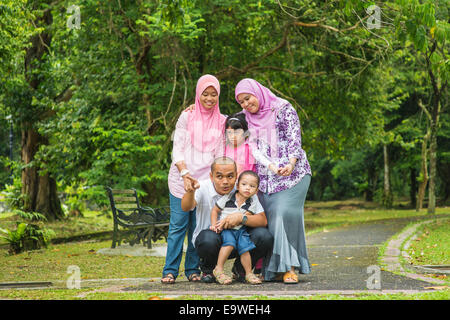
(242, 200)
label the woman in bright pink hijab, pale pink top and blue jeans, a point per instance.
(197, 142)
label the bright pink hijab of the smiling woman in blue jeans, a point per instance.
(206, 126)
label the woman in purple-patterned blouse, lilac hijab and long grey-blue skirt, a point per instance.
(285, 175)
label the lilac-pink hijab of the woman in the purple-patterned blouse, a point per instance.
(262, 123)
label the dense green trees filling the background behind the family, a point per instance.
(94, 89)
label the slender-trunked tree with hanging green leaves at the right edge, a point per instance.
(425, 25)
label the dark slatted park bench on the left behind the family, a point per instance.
(135, 223)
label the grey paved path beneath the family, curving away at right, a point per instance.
(344, 260)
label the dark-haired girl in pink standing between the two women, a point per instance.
(236, 144)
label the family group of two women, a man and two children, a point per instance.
(237, 186)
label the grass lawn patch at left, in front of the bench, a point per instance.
(51, 264)
